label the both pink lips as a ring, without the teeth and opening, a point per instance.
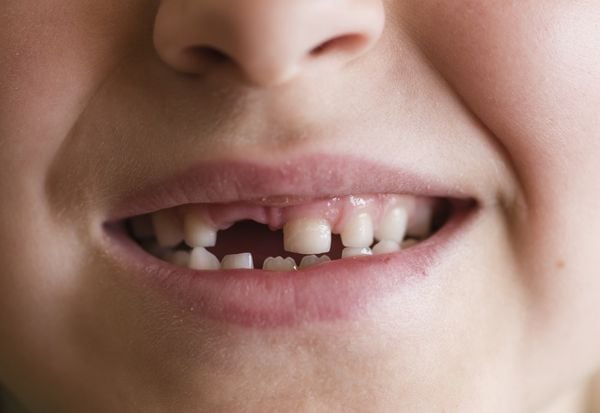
(339, 290)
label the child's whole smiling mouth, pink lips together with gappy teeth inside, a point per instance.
(259, 246)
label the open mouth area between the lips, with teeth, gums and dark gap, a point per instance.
(284, 234)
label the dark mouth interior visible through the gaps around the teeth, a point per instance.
(262, 242)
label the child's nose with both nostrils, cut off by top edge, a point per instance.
(265, 42)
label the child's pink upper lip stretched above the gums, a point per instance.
(296, 180)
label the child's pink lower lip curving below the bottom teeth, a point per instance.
(339, 290)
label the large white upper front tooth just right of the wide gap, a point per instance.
(307, 236)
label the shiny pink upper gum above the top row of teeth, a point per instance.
(336, 210)
